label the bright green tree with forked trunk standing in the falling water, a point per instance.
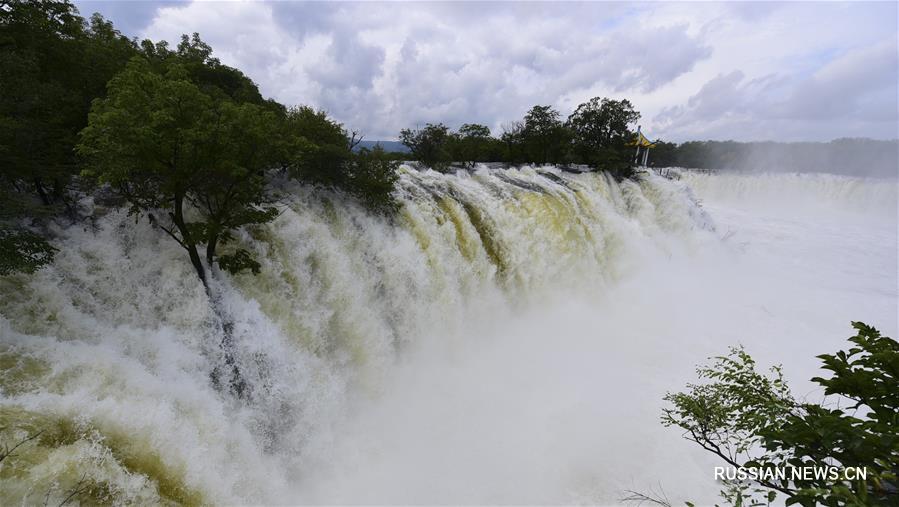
(163, 144)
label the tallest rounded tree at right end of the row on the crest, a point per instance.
(600, 129)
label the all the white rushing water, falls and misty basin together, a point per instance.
(507, 338)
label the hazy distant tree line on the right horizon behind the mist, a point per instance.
(845, 156)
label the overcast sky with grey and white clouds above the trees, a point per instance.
(743, 71)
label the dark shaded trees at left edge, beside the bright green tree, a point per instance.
(52, 65)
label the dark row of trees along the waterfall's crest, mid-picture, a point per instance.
(598, 134)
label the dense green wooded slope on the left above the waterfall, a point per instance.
(186, 141)
